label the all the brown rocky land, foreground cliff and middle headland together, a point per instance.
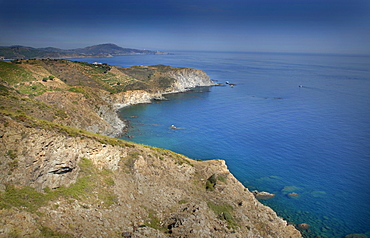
(60, 177)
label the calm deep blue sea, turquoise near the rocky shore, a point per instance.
(290, 123)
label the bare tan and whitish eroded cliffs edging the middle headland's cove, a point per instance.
(96, 111)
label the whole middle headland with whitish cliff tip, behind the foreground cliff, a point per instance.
(87, 96)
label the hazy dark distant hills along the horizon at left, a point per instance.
(102, 50)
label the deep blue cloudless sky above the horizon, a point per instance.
(314, 26)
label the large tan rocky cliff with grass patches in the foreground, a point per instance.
(104, 187)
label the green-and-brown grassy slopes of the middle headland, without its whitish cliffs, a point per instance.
(74, 93)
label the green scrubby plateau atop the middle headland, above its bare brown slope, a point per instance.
(102, 76)
